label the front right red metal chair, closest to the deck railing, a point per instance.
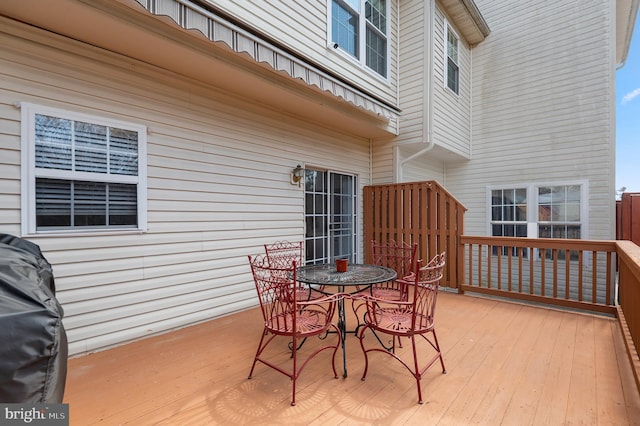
(411, 318)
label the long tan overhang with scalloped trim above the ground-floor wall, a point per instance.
(183, 38)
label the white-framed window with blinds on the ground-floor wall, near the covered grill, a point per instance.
(81, 172)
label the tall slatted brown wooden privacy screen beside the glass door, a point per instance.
(416, 212)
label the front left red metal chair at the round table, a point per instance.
(285, 315)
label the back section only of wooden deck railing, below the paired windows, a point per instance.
(577, 274)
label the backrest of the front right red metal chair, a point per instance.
(425, 291)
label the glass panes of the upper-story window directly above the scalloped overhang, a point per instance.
(359, 26)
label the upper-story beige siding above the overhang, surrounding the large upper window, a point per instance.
(302, 27)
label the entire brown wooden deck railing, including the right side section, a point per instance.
(578, 274)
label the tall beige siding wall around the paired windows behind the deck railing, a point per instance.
(543, 107)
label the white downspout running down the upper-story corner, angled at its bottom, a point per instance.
(428, 90)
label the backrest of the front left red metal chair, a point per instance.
(275, 285)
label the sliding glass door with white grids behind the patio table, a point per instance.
(330, 216)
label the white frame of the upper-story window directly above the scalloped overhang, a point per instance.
(361, 60)
